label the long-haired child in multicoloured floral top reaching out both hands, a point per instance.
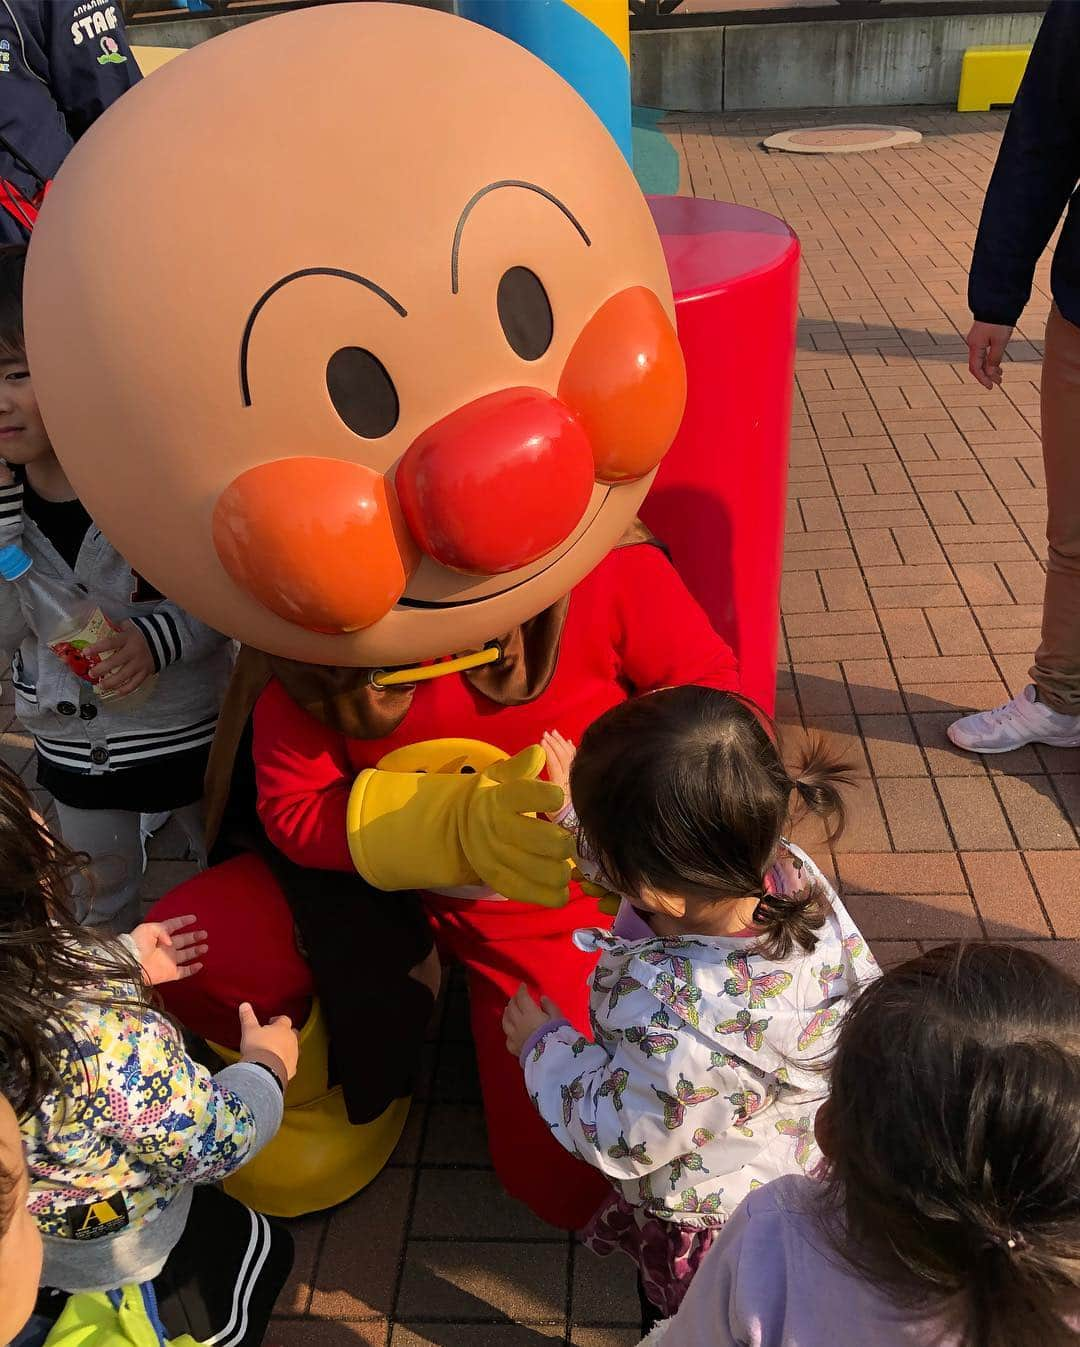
(125, 1134)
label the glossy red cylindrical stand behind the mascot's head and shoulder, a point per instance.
(720, 499)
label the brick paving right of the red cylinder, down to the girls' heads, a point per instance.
(914, 569)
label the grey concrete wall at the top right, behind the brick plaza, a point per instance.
(840, 64)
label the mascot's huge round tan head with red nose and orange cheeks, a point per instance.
(353, 332)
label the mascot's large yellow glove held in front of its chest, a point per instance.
(410, 830)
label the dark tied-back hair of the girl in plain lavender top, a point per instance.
(954, 1143)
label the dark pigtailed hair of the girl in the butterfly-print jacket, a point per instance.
(685, 791)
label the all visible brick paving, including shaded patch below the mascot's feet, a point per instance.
(912, 589)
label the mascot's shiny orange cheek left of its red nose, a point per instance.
(317, 541)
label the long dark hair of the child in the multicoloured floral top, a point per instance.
(49, 964)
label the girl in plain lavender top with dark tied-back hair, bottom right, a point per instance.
(950, 1216)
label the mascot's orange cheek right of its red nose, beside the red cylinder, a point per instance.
(627, 385)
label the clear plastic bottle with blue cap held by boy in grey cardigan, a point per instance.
(67, 620)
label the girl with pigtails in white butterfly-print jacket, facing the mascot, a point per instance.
(720, 987)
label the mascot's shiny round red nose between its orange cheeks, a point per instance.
(499, 483)
